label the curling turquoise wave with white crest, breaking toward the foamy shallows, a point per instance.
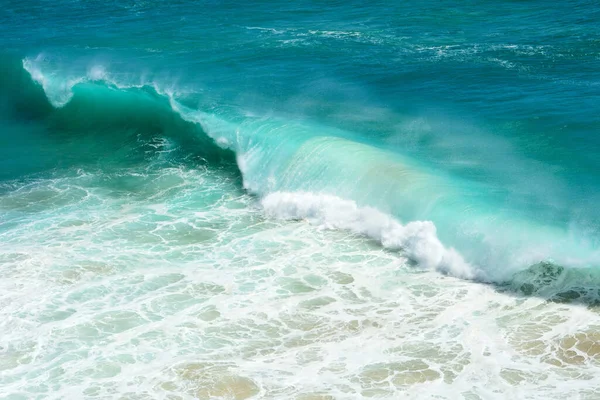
(298, 170)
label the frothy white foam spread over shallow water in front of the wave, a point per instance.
(170, 294)
